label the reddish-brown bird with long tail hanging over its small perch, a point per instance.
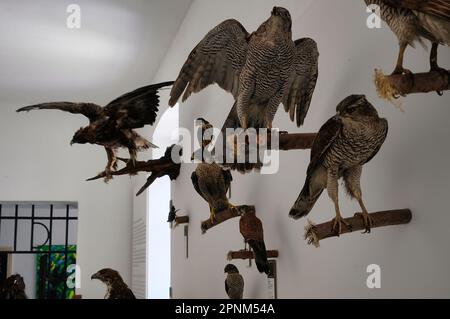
(251, 229)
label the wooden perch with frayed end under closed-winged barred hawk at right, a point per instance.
(315, 233)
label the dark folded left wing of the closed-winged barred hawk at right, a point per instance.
(325, 137)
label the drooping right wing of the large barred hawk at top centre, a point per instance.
(303, 80)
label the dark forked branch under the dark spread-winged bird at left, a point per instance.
(157, 168)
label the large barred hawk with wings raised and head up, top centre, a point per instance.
(261, 69)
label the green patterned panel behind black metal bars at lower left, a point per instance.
(51, 281)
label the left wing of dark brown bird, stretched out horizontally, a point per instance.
(90, 110)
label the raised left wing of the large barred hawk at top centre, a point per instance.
(218, 58)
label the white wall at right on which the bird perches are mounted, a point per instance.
(410, 171)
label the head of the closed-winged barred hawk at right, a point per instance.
(356, 107)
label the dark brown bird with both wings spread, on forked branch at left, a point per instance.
(112, 126)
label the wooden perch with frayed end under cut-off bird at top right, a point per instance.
(392, 86)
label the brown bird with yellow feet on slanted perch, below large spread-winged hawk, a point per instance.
(212, 183)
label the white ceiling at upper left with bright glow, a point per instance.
(119, 46)
